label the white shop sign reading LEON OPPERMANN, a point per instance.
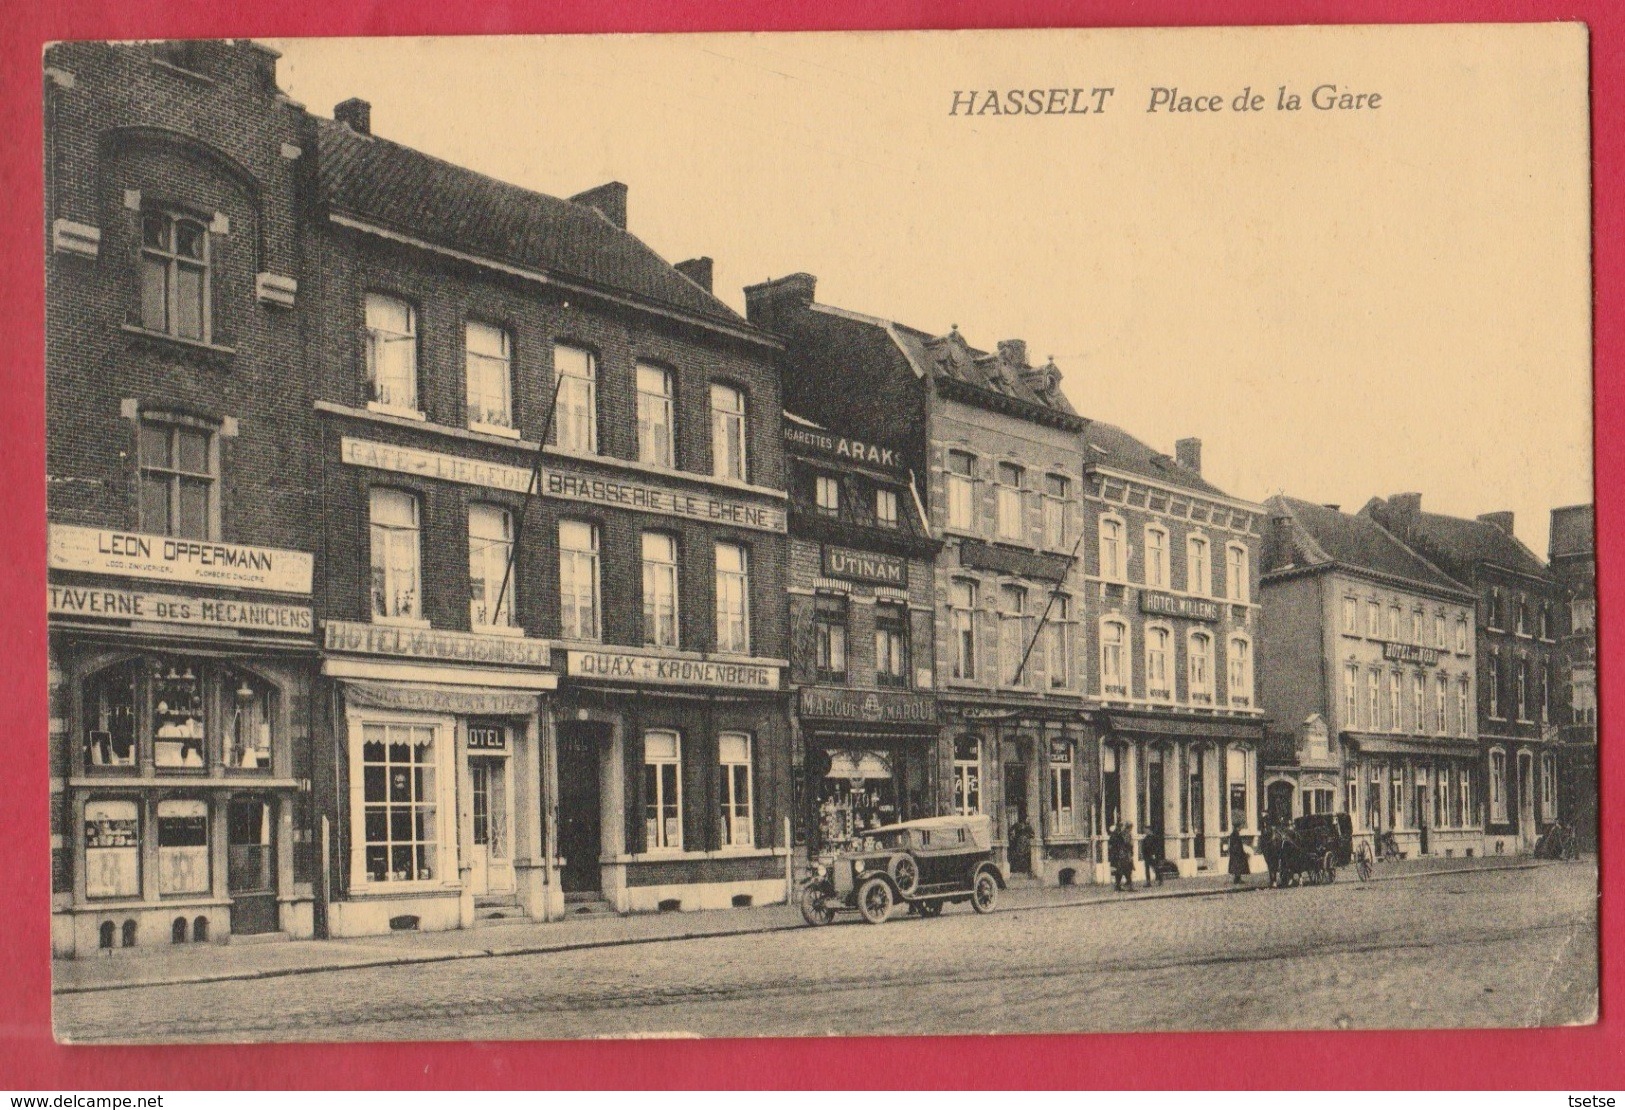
(141, 555)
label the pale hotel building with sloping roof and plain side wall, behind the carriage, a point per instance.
(1369, 662)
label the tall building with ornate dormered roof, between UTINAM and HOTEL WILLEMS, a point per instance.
(994, 449)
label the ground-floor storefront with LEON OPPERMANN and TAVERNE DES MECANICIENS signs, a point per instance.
(180, 727)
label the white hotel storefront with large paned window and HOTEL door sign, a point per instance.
(436, 791)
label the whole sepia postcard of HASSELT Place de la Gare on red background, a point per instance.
(821, 534)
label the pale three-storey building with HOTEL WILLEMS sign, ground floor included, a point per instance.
(1172, 610)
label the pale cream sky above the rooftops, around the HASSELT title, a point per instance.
(1340, 305)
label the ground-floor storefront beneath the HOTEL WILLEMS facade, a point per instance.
(1187, 781)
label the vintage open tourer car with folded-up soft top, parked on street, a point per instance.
(922, 864)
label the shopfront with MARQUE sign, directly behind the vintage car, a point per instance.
(869, 760)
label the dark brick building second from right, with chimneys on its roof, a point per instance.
(1520, 679)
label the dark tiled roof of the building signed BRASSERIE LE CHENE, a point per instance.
(428, 199)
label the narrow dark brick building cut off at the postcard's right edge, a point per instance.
(1574, 562)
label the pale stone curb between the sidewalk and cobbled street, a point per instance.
(721, 934)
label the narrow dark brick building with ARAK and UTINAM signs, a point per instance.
(862, 636)
